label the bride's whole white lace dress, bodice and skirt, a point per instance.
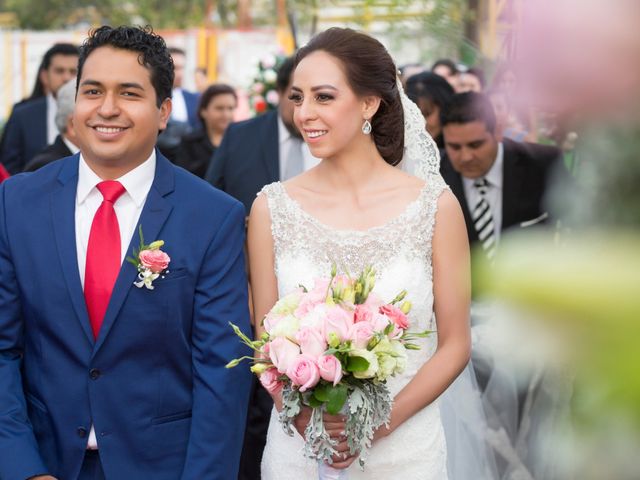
(400, 251)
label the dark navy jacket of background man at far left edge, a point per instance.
(25, 134)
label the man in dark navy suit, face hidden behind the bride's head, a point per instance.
(252, 154)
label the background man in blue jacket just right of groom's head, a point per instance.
(184, 115)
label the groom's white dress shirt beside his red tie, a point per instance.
(128, 207)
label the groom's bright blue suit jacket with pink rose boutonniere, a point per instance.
(153, 383)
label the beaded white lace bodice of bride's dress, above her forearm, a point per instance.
(399, 250)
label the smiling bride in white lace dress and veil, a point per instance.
(358, 208)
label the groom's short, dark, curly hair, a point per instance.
(152, 50)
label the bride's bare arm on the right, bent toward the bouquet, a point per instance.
(452, 297)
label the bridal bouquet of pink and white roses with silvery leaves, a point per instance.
(333, 348)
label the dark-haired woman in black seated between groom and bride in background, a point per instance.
(216, 109)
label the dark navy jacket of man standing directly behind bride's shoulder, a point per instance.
(247, 158)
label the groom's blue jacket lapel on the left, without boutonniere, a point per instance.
(63, 214)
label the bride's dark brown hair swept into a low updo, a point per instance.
(370, 70)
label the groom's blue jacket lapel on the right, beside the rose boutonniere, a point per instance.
(154, 214)
